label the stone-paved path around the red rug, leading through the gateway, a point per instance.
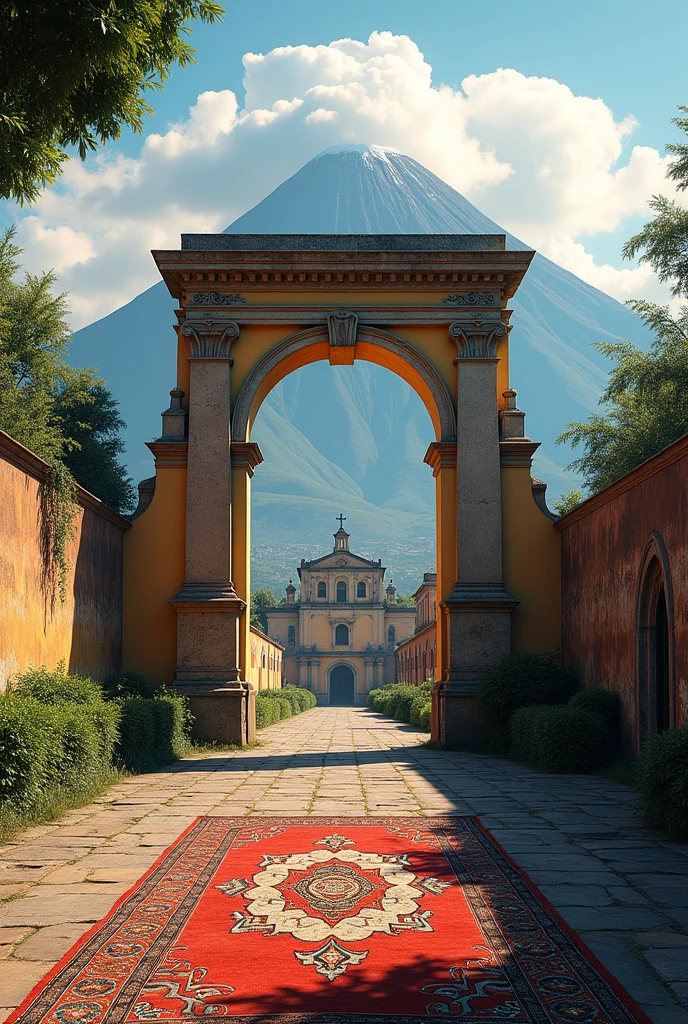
(580, 838)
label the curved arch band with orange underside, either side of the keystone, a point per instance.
(376, 346)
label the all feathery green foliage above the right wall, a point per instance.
(646, 405)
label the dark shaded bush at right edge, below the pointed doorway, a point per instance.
(663, 779)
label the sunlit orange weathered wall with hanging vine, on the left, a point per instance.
(85, 632)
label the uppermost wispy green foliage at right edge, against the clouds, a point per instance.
(663, 242)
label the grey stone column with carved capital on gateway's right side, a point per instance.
(479, 609)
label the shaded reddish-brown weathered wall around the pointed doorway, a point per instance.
(605, 545)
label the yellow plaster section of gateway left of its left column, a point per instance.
(154, 573)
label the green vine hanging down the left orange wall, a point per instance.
(59, 510)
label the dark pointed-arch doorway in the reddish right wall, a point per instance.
(655, 642)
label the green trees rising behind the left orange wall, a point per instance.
(66, 416)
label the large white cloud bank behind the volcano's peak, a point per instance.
(548, 165)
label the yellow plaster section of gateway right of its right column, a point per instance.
(532, 566)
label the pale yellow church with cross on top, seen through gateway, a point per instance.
(340, 636)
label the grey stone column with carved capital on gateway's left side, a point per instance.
(208, 608)
